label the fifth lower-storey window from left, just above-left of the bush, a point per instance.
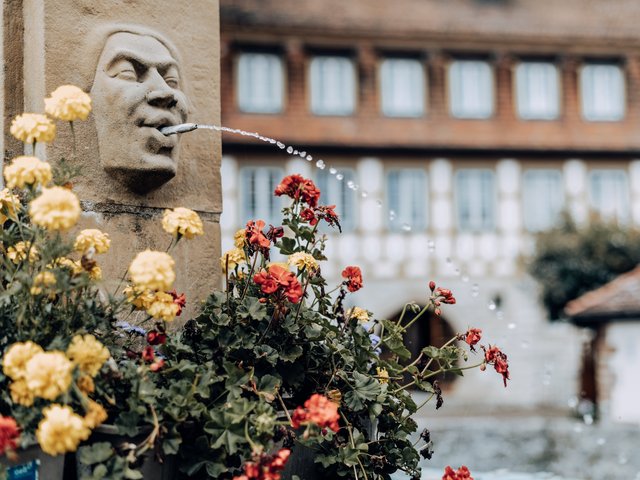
(542, 199)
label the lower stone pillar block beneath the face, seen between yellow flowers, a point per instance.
(197, 260)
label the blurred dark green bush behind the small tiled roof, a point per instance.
(571, 260)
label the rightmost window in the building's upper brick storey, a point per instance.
(602, 89)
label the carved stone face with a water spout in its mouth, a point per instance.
(137, 91)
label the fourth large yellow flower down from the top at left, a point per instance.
(55, 209)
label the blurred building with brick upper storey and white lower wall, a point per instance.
(447, 134)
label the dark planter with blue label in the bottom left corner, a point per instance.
(34, 464)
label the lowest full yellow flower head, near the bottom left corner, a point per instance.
(61, 430)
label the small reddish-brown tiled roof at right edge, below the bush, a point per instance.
(619, 298)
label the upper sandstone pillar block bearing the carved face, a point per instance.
(65, 43)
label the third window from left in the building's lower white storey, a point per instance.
(407, 198)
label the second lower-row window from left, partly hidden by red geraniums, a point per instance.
(337, 192)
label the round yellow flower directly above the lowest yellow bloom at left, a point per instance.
(48, 374)
